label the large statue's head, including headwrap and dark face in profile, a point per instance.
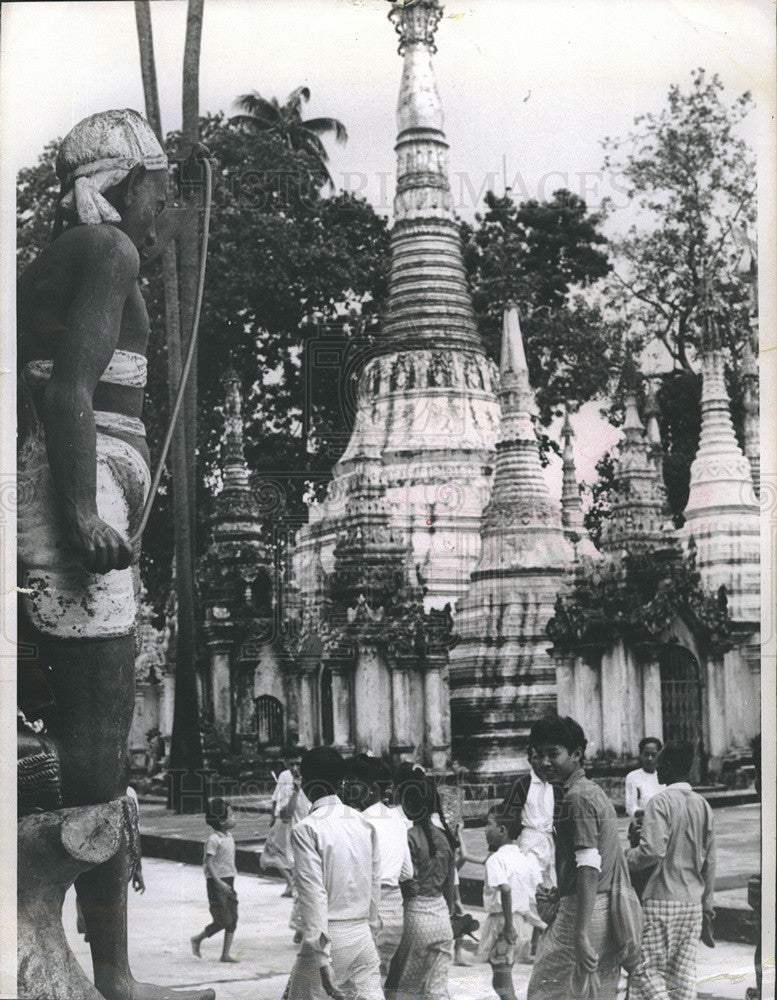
(113, 169)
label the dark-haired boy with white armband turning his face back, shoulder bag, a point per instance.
(579, 949)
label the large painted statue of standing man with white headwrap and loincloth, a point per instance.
(83, 475)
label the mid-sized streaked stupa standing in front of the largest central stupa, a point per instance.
(502, 677)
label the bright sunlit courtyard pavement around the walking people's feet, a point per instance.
(174, 907)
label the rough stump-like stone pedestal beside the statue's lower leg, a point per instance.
(53, 850)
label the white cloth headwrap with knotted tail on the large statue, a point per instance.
(99, 152)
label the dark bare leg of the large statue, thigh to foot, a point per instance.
(94, 688)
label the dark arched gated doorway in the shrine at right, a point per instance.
(681, 704)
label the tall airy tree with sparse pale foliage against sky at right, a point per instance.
(691, 177)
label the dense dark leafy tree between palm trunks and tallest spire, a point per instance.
(286, 268)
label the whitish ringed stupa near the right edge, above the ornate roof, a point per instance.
(722, 513)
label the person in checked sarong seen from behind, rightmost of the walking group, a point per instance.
(678, 838)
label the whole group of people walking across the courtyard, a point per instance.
(373, 865)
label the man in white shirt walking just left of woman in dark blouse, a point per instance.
(368, 780)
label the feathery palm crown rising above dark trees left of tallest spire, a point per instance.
(285, 121)
